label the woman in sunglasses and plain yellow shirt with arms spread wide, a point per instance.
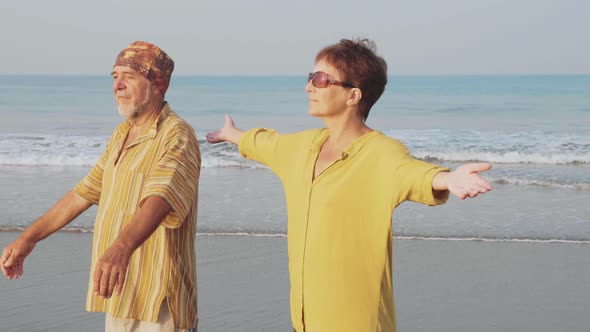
(342, 184)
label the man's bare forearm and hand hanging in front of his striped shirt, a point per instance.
(111, 268)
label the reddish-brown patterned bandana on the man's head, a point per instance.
(148, 60)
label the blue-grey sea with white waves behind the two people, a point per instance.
(535, 130)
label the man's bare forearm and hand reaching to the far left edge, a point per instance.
(62, 213)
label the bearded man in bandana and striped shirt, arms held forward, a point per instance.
(143, 272)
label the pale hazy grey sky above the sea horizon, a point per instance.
(279, 37)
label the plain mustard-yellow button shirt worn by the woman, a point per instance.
(339, 224)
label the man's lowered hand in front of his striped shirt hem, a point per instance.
(110, 270)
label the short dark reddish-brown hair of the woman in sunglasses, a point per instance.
(358, 64)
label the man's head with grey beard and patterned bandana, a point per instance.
(141, 75)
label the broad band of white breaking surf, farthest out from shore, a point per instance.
(58, 150)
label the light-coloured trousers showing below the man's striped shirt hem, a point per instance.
(164, 324)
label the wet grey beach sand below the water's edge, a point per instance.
(440, 285)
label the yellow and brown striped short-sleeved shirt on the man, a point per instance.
(163, 162)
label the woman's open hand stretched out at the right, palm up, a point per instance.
(464, 181)
